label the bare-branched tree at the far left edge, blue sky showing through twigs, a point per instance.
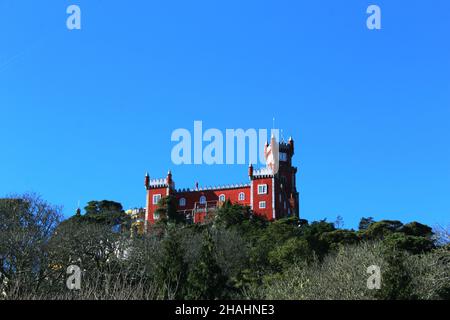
(26, 225)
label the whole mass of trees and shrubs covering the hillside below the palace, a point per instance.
(236, 255)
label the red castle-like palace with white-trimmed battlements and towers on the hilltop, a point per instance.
(270, 195)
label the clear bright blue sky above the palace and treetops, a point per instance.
(85, 113)
